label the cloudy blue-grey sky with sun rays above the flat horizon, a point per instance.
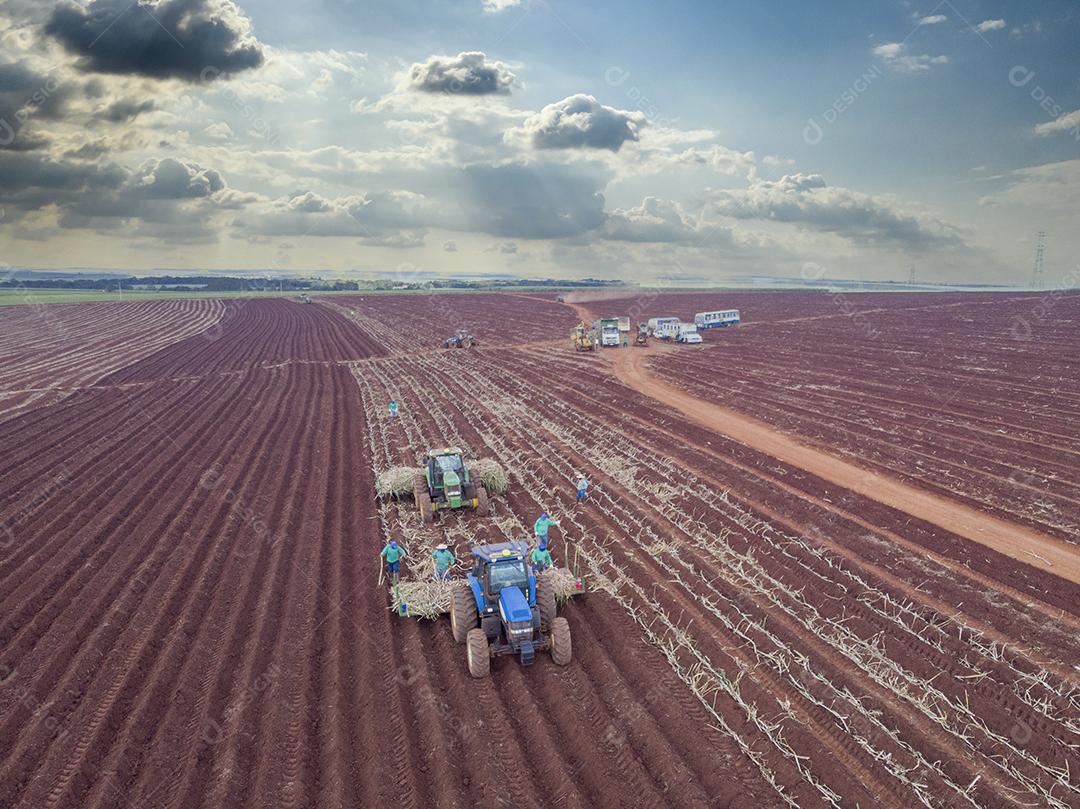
(691, 141)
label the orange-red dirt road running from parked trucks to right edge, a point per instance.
(1016, 542)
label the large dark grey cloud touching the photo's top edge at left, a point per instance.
(160, 39)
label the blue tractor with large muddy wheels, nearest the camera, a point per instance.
(504, 609)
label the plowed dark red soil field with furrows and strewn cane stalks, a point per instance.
(191, 608)
